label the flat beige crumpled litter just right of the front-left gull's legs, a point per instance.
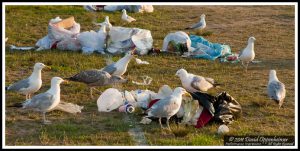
(68, 107)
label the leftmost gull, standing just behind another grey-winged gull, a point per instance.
(31, 84)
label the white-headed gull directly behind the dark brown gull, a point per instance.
(119, 68)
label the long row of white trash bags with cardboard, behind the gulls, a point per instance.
(64, 34)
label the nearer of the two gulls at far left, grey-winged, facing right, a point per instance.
(44, 102)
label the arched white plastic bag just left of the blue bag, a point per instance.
(177, 37)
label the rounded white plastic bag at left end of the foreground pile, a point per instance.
(109, 100)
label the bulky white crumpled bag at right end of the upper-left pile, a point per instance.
(122, 39)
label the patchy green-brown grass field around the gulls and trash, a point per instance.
(272, 26)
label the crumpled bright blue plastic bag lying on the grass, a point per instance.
(206, 50)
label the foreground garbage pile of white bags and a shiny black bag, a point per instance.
(197, 110)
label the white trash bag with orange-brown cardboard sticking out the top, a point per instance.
(60, 31)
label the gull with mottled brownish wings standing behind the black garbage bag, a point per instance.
(194, 83)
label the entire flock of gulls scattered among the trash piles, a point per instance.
(112, 73)
